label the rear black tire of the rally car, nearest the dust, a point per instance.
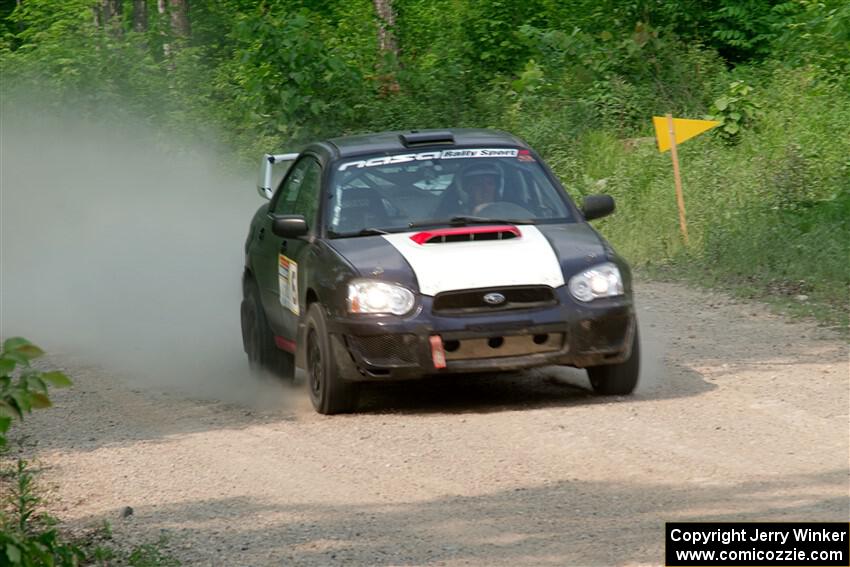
(258, 339)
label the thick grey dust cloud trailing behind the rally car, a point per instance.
(126, 254)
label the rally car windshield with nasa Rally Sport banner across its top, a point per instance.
(393, 192)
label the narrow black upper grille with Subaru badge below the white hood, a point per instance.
(472, 300)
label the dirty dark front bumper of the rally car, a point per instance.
(369, 348)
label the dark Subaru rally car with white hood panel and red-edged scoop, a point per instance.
(404, 255)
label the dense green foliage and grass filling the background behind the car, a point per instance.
(768, 193)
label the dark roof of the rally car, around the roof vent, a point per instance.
(392, 142)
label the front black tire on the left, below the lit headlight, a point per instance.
(329, 393)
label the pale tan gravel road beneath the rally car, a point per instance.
(740, 415)
